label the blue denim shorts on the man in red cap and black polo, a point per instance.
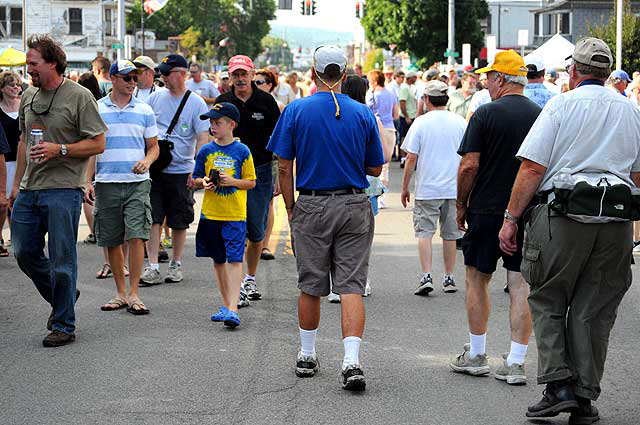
(258, 200)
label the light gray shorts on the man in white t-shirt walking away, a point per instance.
(425, 219)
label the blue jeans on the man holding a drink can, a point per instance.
(56, 212)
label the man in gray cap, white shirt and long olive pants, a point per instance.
(578, 265)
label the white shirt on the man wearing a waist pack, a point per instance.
(591, 130)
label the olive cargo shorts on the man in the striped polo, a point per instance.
(122, 212)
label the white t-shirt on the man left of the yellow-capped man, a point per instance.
(435, 137)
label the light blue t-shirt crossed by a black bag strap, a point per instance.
(183, 136)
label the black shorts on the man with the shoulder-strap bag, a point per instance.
(171, 199)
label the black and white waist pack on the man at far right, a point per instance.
(601, 203)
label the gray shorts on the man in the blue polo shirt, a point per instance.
(332, 235)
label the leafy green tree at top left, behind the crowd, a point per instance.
(213, 21)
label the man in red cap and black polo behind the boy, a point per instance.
(259, 114)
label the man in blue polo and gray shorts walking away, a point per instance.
(335, 143)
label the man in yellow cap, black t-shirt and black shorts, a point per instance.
(487, 171)
